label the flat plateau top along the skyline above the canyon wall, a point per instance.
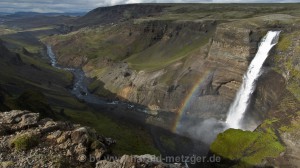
(188, 11)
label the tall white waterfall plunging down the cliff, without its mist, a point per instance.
(239, 106)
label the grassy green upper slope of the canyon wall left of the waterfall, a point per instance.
(146, 51)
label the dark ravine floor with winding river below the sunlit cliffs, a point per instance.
(138, 114)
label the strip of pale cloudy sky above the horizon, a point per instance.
(60, 6)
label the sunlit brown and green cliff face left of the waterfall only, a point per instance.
(157, 63)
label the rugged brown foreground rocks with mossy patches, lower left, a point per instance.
(28, 141)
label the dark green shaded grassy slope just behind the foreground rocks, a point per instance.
(130, 139)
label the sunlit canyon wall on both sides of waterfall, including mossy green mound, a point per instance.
(216, 66)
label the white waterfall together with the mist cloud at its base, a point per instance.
(206, 130)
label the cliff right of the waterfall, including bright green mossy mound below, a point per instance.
(274, 143)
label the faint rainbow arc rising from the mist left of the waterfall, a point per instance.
(187, 100)
